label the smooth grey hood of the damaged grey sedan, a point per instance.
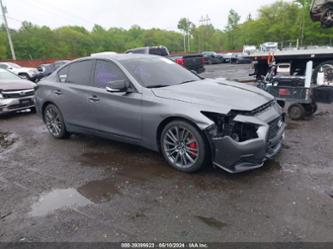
(218, 93)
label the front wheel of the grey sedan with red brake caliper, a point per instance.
(187, 151)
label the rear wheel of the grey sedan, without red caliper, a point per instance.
(55, 122)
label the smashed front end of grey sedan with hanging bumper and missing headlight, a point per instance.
(243, 141)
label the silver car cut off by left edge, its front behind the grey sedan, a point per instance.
(16, 94)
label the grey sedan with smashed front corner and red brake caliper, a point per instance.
(153, 102)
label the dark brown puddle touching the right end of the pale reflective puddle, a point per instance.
(99, 191)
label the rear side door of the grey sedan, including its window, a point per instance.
(75, 94)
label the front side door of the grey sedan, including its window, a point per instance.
(117, 114)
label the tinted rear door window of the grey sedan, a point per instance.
(79, 72)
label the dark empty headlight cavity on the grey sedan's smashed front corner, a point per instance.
(226, 126)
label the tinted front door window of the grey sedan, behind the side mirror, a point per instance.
(106, 72)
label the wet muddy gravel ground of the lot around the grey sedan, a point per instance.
(90, 189)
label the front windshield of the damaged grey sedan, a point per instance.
(158, 72)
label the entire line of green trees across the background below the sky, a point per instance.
(283, 21)
